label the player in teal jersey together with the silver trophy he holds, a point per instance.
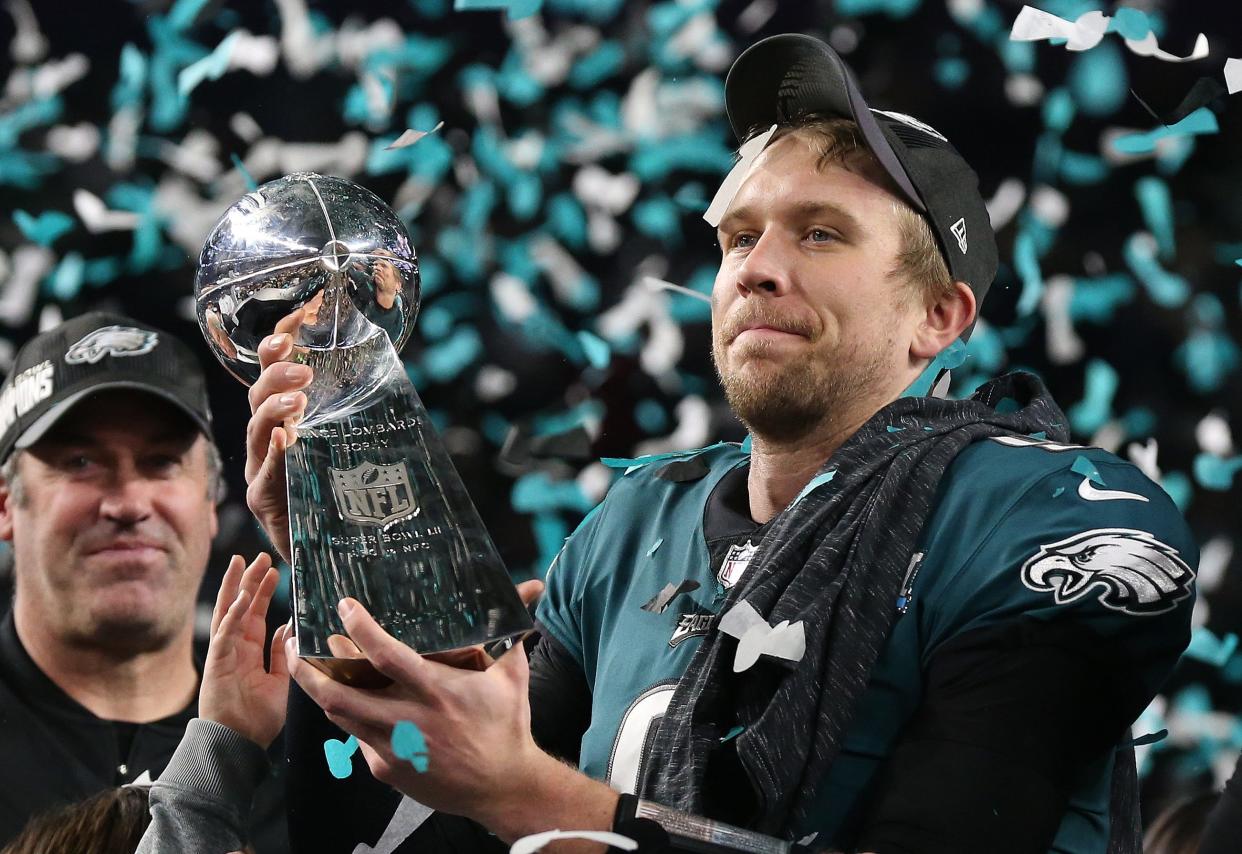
(882, 627)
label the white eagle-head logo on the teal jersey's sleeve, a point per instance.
(1132, 570)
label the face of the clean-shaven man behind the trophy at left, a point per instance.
(114, 531)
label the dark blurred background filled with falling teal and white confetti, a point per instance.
(581, 146)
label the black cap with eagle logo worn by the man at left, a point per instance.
(93, 353)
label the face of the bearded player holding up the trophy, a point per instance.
(808, 315)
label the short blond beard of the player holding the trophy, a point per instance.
(793, 399)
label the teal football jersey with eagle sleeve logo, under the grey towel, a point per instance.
(1019, 531)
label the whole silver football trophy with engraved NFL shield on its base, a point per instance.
(377, 510)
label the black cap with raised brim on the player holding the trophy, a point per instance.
(784, 78)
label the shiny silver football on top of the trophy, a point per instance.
(316, 256)
